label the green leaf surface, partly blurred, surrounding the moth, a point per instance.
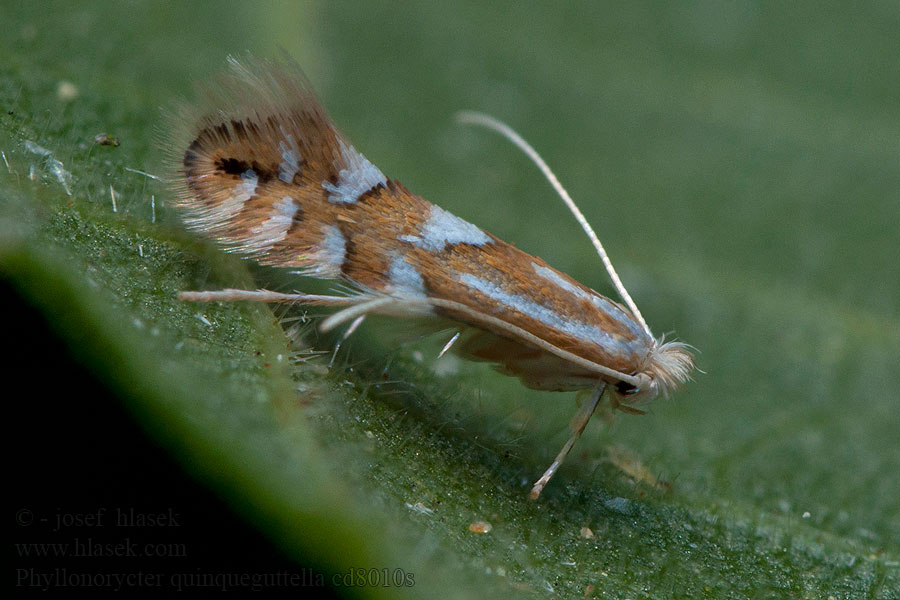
(741, 162)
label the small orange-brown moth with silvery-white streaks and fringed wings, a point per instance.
(262, 170)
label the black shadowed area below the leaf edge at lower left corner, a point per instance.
(97, 504)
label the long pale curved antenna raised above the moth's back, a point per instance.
(477, 118)
